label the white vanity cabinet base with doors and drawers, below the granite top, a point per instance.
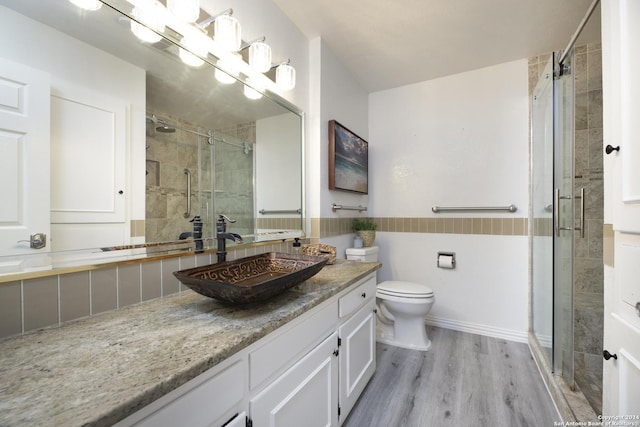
(309, 372)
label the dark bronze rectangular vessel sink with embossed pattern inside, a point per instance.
(251, 279)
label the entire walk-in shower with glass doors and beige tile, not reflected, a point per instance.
(566, 232)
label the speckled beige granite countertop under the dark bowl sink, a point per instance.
(99, 370)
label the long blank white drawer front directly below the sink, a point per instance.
(290, 344)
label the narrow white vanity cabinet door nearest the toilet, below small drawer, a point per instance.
(357, 356)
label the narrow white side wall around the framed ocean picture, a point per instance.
(335, 95)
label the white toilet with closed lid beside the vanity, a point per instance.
(401, 307)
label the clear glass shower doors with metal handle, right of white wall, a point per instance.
(552, 214)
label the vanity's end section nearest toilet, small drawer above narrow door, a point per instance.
(357, 339)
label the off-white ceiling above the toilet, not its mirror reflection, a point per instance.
(391, 43)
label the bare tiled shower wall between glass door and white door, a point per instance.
(588, 261)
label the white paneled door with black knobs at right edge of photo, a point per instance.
(621, 96)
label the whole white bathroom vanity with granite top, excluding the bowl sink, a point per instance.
(301, 357)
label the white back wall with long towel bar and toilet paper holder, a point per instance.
(460, 140)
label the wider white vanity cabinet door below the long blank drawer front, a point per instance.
(305, 395)
